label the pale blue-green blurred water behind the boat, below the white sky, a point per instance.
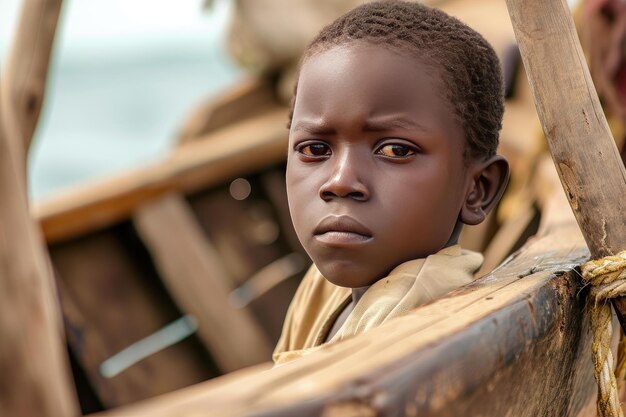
(105, 116)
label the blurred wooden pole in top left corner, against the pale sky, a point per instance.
(24, 75)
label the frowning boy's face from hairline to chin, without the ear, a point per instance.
(375, 170)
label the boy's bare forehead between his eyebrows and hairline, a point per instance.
(371, 77)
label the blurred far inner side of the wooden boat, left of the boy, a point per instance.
(133, 254)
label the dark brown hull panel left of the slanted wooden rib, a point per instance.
(111, 299)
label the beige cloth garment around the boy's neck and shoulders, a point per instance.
(318, 302)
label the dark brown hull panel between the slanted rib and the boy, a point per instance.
(250, 234)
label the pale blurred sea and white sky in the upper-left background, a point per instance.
(123, 76)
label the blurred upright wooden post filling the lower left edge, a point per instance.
(35, 379)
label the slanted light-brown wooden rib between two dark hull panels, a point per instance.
(192, 270)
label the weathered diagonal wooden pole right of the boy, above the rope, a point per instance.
(581, 144)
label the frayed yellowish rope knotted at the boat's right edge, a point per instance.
(607, 277)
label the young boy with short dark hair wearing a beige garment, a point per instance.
(392, 142)
